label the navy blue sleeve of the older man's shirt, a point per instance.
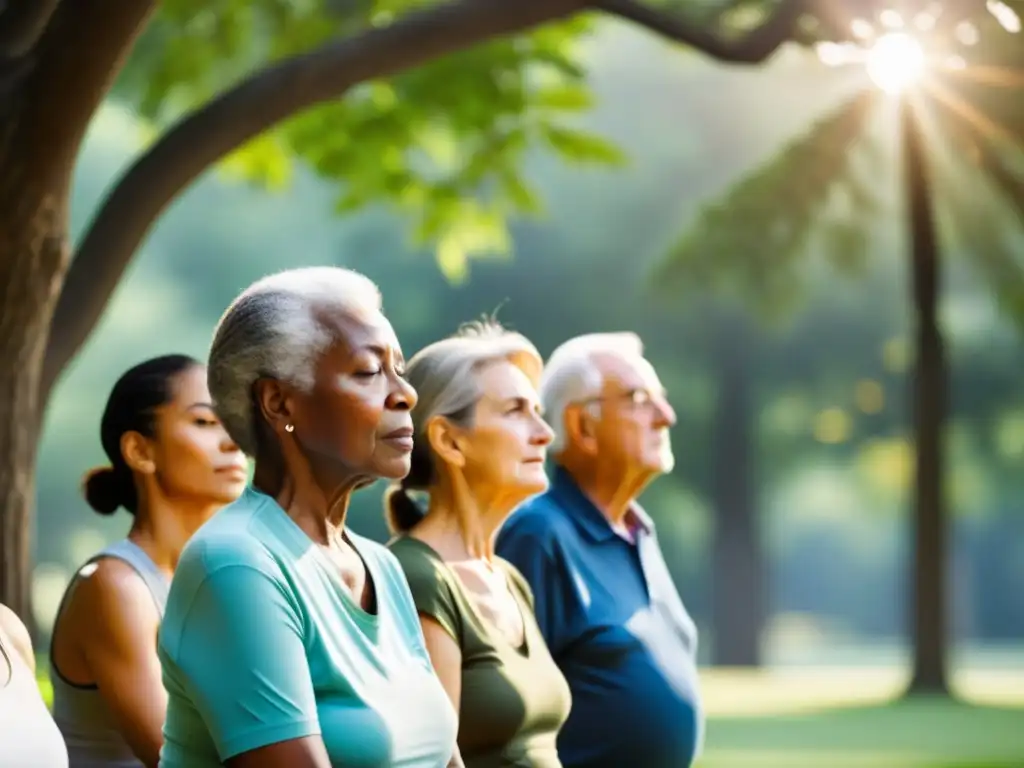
(539, 557)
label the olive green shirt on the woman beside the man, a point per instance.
(515, 701)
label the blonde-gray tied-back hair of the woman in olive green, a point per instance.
(445, 376)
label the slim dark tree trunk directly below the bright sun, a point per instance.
(930, 630)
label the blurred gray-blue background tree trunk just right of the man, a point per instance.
(738, 561)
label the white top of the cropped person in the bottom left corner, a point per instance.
(28, 736)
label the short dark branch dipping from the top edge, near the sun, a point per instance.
(752, 49)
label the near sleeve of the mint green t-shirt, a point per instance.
(241, 657)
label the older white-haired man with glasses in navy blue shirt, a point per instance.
(605, 600)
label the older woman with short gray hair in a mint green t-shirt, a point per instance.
(289, 642)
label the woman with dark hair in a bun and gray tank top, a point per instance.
(173, 466)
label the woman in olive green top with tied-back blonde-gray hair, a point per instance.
(479, 451)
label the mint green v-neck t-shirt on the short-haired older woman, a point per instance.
(262, 643)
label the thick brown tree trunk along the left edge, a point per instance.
(59, 62)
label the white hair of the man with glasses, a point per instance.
(573, 374)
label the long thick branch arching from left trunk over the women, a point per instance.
(242, 114)
